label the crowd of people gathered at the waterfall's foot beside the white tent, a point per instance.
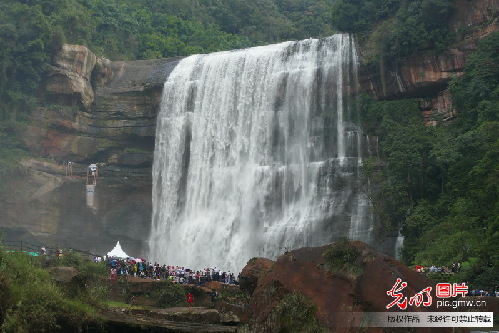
(176, 274)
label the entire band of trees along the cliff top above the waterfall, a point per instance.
(32, 30)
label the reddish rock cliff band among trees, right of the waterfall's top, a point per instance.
(426, 74)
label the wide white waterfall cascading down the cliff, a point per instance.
(258, 150)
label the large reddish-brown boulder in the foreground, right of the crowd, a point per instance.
(336, 296)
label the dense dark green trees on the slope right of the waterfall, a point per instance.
(441, 183)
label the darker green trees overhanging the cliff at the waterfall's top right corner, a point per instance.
(396, 28)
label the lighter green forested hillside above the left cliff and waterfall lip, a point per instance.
(31, 31)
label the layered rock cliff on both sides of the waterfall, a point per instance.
(98, 111)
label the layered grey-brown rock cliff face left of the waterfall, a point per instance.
(96, 111)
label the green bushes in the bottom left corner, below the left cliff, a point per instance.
(31, 302)
